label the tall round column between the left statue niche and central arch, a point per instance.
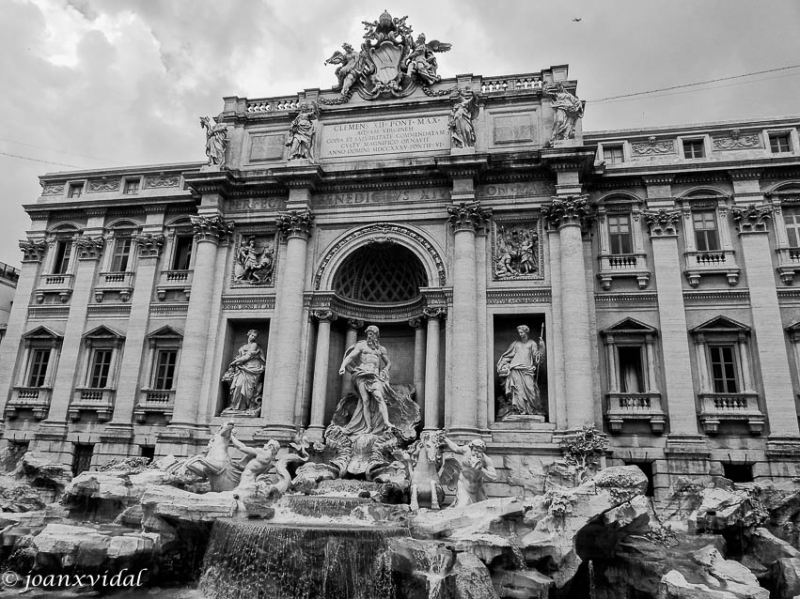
(286, 332)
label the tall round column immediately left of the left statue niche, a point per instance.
(209, 230)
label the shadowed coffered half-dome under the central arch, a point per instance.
(380, 273)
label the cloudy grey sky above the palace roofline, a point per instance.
(99, 83)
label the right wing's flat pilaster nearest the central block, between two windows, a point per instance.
(679, 389)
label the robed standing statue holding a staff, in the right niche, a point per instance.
(518, 368)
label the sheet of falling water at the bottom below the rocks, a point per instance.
(289, 561)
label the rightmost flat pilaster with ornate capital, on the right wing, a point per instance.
(775, 376)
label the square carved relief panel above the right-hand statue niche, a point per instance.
(516, 250)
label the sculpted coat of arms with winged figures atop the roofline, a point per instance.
(390, 62)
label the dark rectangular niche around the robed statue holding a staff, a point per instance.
(519, 382)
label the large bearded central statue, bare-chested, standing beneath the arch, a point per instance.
(369, 365)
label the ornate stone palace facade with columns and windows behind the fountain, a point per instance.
(656, 266)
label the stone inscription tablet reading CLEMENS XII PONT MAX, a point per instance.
(385, 137)
